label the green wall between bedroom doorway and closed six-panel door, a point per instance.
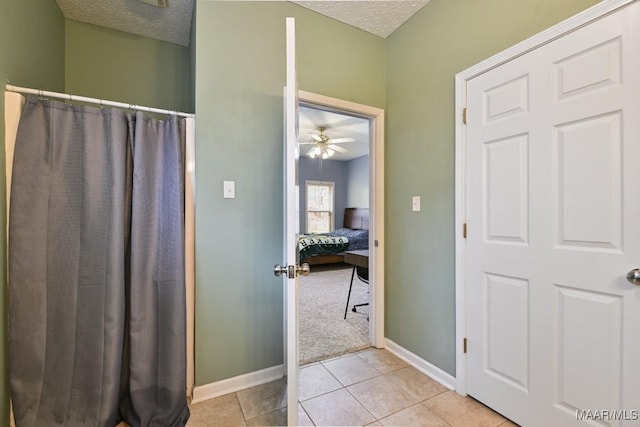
(423, 56)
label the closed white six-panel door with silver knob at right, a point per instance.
(553, 213)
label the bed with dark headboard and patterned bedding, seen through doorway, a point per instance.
(329, 248)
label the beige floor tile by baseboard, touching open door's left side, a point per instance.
(263, 399)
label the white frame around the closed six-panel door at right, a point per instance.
(586, 17)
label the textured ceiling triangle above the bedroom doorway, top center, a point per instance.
(377, 17)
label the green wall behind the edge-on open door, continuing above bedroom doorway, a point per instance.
(240, 74)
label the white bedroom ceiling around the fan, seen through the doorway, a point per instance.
(337, 126)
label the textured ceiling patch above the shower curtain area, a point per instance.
(170, 24)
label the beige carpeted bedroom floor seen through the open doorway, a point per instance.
(324, 333)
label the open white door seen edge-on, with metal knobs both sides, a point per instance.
(291, 270)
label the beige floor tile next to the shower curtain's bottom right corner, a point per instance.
(221, 411)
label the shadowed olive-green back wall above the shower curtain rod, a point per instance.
(118, 66)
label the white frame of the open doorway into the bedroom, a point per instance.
(376, 200)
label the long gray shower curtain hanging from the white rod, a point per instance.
(96, 268)
